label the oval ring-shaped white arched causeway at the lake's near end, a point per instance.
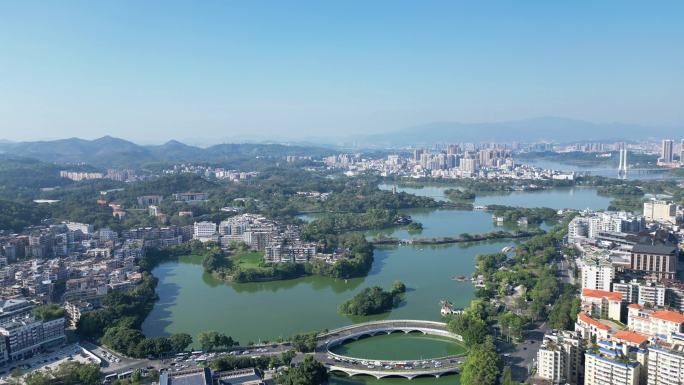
(384, 368)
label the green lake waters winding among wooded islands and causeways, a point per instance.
(192, 301)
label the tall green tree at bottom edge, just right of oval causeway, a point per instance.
(482, 365)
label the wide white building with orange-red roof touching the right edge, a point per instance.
(654, 323)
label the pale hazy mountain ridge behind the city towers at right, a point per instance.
(528, 130)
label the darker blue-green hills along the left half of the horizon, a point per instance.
(115, 152)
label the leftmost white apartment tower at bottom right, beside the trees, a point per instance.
(559, 358)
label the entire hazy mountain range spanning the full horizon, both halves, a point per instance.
(115, 152)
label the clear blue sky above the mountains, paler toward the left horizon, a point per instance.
(213, 70)
